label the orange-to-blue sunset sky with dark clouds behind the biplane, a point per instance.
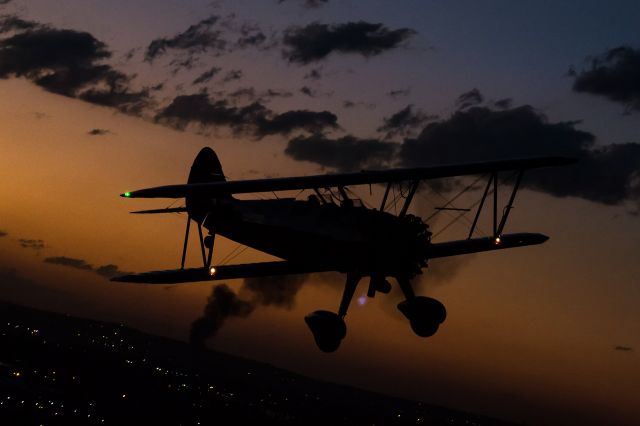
(98, 97)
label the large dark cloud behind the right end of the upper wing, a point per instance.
(606, 174)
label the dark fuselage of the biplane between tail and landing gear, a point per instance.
(346, 237)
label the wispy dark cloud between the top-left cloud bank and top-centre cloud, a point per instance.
(198, 38)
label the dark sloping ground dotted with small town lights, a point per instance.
(60, 370)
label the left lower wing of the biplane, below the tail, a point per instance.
(223, 272)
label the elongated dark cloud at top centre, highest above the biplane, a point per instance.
(316, 41)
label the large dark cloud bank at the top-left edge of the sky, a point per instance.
(68, 62)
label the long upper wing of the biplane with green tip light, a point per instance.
(216, 189)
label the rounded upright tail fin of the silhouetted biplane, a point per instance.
(205, 168)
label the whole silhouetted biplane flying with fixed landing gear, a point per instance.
(331, 231)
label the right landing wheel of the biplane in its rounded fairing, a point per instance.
(425, 314)
